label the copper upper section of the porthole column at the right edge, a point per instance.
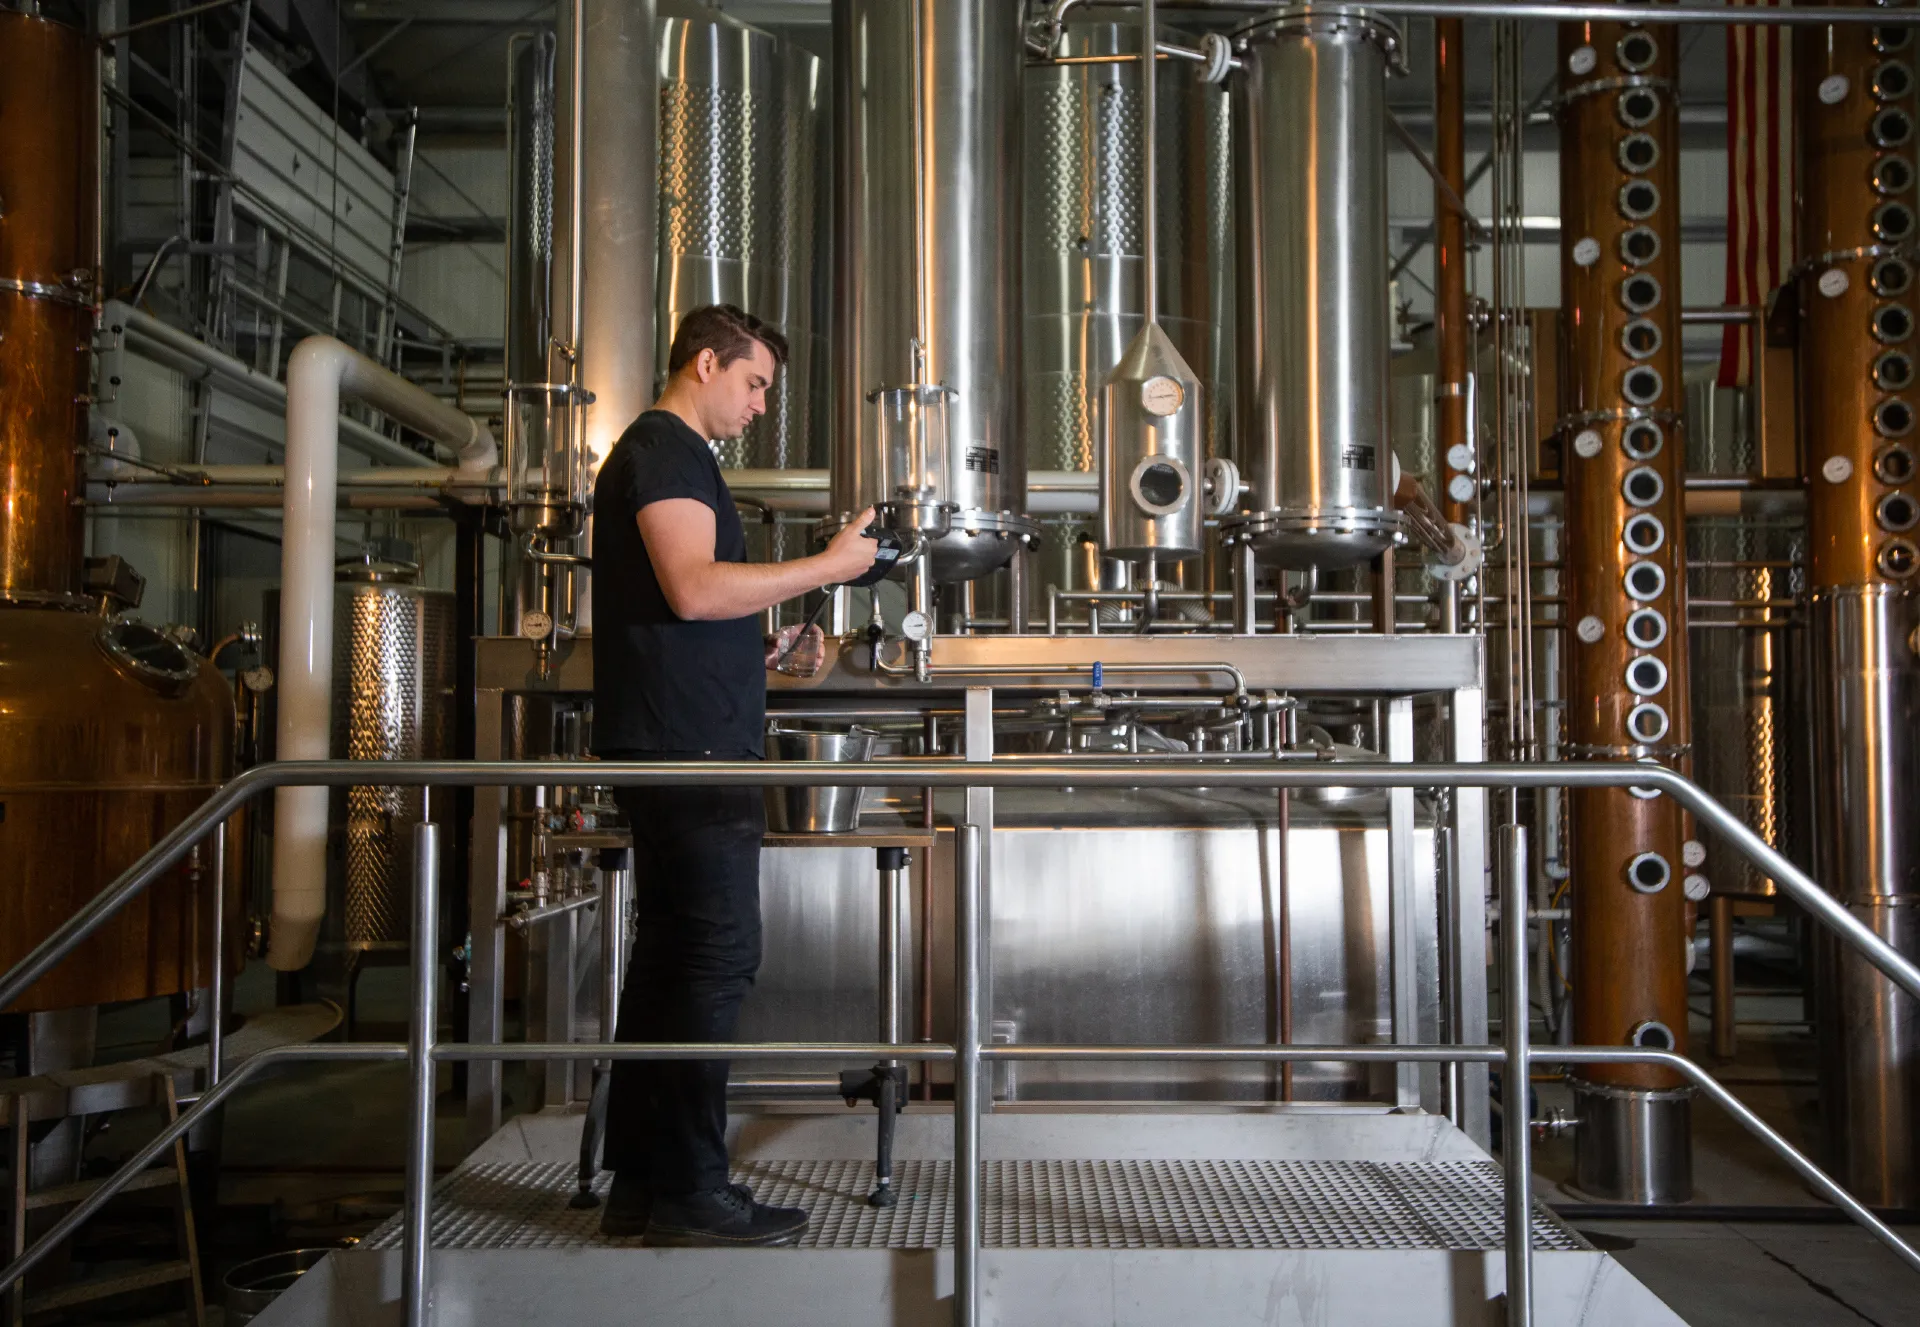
(1838, 304)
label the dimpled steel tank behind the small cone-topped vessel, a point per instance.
(1084, 237)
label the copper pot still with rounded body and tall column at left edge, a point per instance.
(110, 731)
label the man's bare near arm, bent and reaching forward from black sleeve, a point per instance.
(681, 544)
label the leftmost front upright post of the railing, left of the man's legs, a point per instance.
(421, 1069)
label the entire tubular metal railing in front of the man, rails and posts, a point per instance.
(423, 1053)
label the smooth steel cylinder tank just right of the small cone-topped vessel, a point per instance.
(1316, 352)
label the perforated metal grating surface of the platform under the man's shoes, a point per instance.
(1045, 1205)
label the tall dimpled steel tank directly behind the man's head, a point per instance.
(740, 122)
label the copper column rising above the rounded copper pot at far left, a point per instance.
(49, 181)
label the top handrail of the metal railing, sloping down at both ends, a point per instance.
(1001, 773)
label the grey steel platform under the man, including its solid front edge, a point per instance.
(1113, 1218)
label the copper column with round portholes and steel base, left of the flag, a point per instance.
(1627, 662)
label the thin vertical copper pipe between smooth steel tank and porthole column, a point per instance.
(1451, 258)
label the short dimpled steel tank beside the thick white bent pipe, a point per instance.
(393, 702)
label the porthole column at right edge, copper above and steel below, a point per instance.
(1856, 283)
